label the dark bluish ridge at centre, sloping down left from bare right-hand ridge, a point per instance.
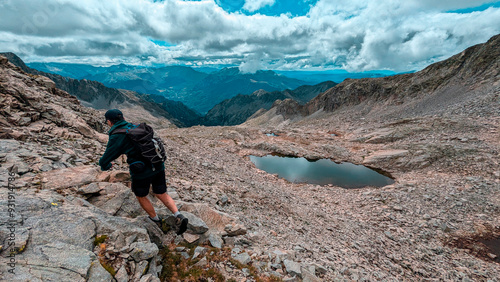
(237, 109)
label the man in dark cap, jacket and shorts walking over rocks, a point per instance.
(144, 173)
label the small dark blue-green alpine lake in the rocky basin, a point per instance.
(321, 172)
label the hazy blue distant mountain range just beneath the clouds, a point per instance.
(197, 90)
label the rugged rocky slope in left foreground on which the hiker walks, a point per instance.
(69, 221)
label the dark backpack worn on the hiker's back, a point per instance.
(142, 135)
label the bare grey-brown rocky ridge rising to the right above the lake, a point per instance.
(442, 84)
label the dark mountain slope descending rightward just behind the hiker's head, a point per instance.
(94, 94)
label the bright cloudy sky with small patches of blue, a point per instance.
(356, 35)
